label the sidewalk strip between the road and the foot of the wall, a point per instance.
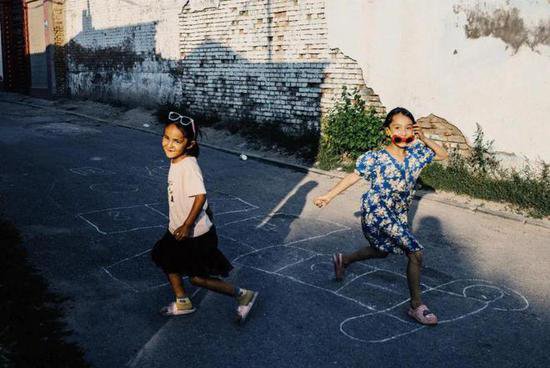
(144, 120)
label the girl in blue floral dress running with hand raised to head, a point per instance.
(392, 173)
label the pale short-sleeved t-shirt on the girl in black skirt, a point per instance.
(184, 183)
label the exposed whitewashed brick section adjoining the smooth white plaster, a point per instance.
(270, 60)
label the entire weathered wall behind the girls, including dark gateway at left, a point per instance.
(453, 63)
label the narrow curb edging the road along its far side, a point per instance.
(418, 195)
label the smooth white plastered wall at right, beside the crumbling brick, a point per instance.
(406, 49)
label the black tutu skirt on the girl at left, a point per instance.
(198, 256)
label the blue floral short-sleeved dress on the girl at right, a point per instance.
(385, 206)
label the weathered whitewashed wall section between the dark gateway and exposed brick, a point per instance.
(122, 50)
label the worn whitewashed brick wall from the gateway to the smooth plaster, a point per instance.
(260, 60)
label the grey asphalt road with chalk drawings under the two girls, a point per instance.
(90, 200)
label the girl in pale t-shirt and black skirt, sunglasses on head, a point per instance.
(190, 246)
